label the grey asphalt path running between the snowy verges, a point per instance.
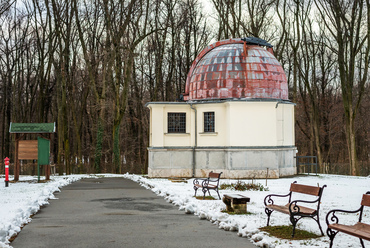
(117, 212)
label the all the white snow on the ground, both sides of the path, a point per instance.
(21, 200)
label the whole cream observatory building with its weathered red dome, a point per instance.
(235, 117)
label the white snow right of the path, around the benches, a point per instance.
(247, 226)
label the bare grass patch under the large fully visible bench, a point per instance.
(285, 232)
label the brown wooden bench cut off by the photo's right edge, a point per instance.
(359, 230)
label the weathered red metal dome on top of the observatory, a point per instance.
(236, 68)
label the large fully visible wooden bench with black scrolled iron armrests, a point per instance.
(295, 211)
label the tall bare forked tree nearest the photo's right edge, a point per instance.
(348, 24)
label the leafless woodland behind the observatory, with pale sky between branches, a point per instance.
(91, 65)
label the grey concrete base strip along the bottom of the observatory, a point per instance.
(235, 163)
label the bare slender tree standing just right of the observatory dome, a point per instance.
(315, 73)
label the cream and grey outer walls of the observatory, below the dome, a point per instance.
(250, 136)
